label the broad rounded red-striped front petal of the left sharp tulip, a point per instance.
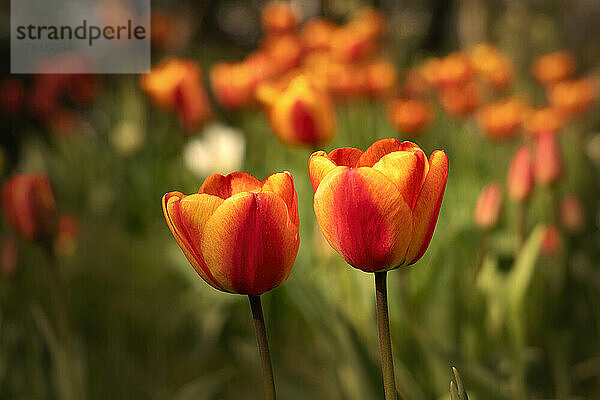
(250, 244)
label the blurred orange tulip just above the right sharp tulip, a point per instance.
(409, 117)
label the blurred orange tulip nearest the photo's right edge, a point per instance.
(572, 97)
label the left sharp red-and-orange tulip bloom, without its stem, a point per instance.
(239, 234)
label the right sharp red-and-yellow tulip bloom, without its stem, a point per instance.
(378, 208)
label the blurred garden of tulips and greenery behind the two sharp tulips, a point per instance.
(102, 304)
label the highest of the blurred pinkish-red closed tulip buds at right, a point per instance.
(548, 161)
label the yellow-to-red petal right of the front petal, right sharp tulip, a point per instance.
(406, 169)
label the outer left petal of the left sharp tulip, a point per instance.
(186, 217)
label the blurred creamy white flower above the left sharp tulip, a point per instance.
(220, 149)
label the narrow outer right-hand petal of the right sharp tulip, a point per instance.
(428, 206)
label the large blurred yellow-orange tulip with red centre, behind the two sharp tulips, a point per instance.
(301, 114)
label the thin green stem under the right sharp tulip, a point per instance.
(385, 343)
